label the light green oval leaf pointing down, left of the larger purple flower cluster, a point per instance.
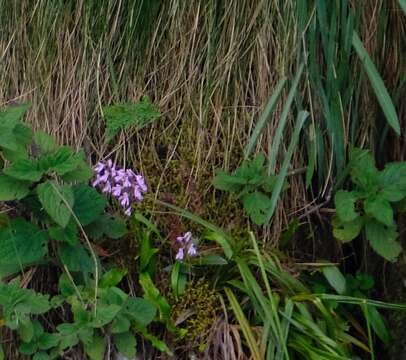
(57, 201)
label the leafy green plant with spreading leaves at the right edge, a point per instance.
(369, 207)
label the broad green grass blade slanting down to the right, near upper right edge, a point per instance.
(377, 83)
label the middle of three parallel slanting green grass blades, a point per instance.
(273, 154)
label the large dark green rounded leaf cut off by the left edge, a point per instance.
(21, 244)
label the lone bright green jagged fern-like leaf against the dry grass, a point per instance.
(123, 116)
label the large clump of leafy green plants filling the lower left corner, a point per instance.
(47, 184)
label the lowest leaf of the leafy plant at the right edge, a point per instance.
(383, 240)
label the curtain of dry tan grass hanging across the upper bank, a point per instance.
(210, 65)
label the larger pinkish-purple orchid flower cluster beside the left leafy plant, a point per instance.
(125, 185)
